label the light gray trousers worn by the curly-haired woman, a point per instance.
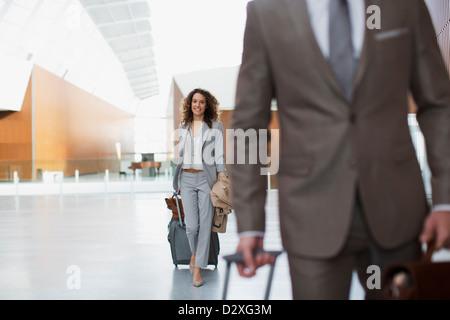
(199, 211)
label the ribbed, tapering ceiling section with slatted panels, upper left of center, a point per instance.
(125, 25)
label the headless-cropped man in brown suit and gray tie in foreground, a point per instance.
(351, 192)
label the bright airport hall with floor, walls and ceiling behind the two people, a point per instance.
(90, 100)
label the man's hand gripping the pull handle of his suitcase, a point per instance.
(247, 246)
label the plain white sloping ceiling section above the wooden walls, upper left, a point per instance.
(61, 37)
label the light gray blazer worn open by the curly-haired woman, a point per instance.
(213, 156)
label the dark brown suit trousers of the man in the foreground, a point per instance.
(330, 279)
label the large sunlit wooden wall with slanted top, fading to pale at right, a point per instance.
(76, 130)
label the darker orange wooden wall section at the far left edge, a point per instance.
(16, 141)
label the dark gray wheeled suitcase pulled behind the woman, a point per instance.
(179, 244)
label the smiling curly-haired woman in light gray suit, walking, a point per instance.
(201, 161)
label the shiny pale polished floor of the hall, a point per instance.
(114, 246)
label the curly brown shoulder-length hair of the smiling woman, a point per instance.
(211, 112)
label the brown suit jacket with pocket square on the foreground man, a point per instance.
(331, 147)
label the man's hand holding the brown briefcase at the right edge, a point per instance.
(437, 227)
